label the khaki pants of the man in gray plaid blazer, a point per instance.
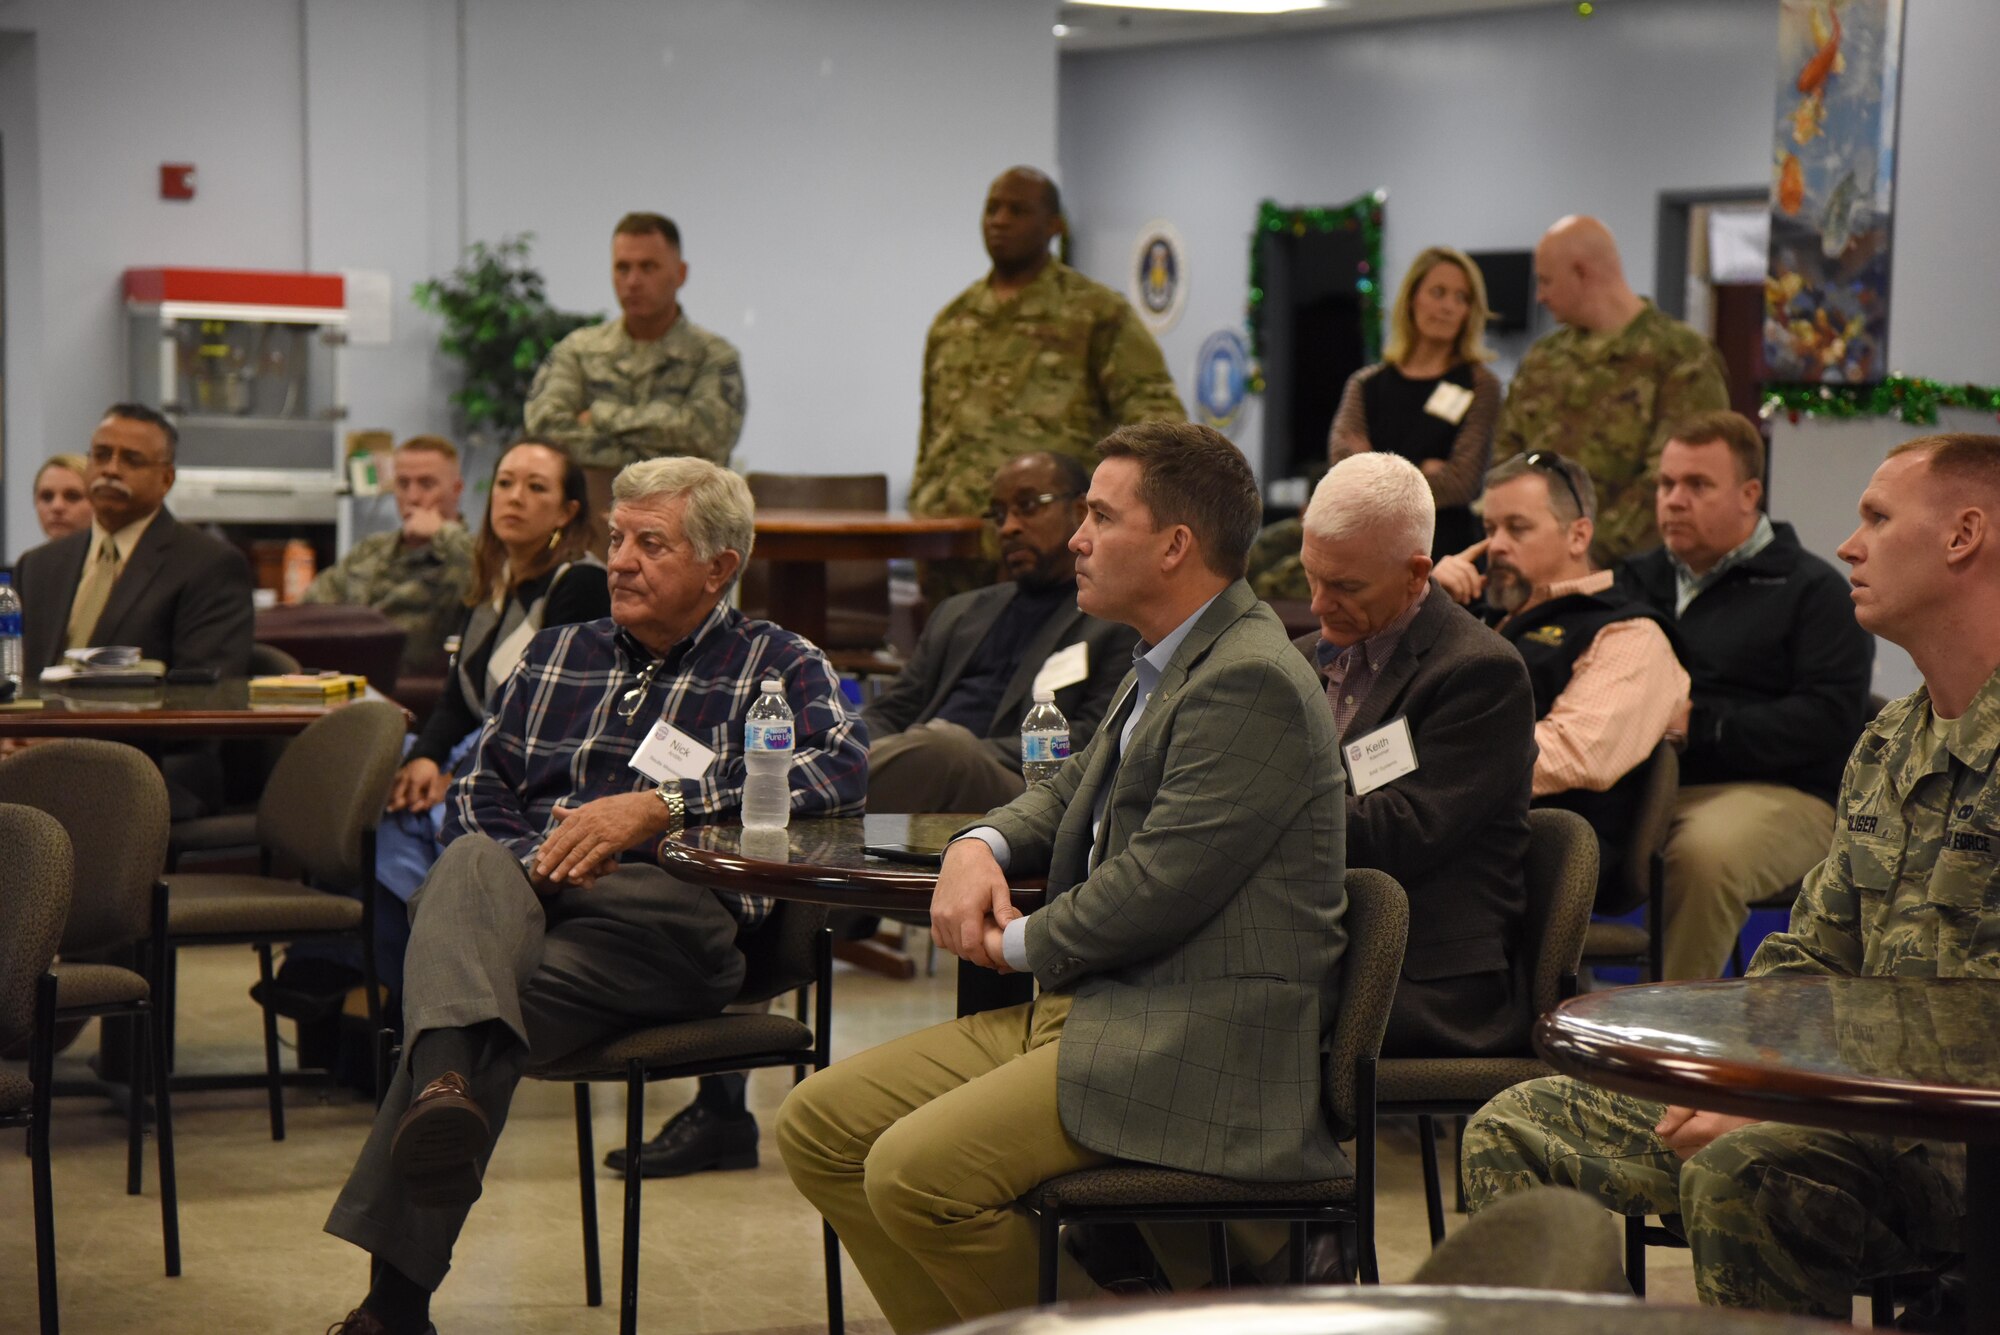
(917, 1152)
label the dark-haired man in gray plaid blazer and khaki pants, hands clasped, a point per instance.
(1187, 952)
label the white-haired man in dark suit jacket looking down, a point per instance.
(1443, 718)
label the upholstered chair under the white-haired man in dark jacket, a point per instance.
(1563, 882)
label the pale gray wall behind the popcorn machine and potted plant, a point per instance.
(825, 159)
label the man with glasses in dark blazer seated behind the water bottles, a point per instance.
(947, 732)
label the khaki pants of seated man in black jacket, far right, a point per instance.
(1733, 844)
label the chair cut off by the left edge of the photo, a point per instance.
(35, 902)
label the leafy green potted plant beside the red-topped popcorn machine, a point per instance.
(499, 323)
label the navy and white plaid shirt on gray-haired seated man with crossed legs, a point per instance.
(557, 734)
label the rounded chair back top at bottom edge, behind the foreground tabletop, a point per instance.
(1545, 1238)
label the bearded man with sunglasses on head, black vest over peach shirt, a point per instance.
(1607, 684)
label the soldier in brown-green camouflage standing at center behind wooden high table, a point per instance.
(1033, 357)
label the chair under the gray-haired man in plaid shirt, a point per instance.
(789, 952)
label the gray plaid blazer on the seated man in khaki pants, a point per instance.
(1203, 950)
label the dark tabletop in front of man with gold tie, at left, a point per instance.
(159, 712)
